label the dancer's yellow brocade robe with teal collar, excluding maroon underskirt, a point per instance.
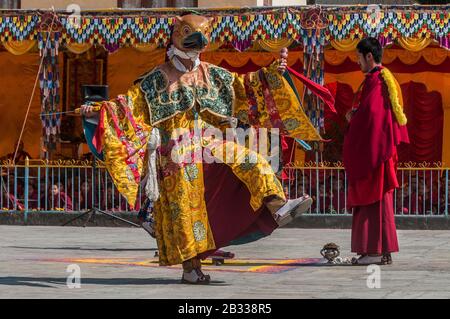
(168, 100)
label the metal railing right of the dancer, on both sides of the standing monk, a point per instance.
(423, 191)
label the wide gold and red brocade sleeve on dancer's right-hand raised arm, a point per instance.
(266, 99)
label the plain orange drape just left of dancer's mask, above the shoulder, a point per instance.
(127, 64)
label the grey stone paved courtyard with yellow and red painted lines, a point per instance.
(119, 263)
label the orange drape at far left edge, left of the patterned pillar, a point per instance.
(16, 84)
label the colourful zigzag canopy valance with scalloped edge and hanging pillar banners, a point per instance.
(312, 28)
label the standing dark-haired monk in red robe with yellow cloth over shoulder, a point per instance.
(376, 127)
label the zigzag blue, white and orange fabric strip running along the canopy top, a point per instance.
(123, 27)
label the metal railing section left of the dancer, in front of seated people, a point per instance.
(52, 186)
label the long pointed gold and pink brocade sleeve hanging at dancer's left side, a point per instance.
(121, 137)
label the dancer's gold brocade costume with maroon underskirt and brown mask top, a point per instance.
(201, 207)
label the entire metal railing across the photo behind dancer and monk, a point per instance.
(51, 186)
